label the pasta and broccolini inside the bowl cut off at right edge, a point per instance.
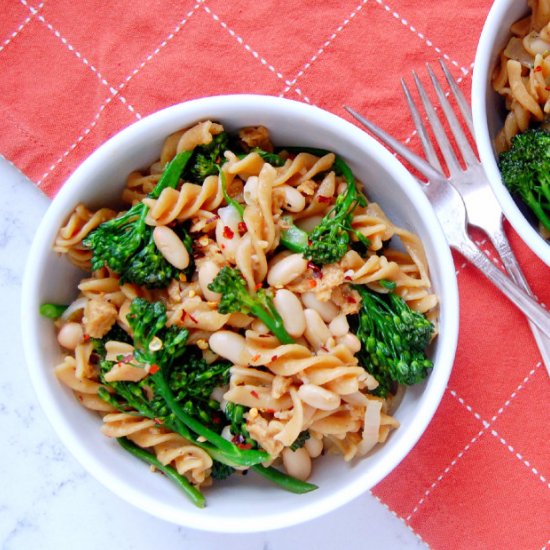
(522, 78)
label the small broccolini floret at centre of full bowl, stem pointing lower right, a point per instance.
(235, 298)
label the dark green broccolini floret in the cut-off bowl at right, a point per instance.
(525, 170)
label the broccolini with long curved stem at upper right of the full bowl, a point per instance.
(330, 239)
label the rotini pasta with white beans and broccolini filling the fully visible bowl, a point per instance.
(248, 309)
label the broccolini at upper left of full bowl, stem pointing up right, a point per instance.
(125, 243)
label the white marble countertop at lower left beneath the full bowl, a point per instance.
(48, 501)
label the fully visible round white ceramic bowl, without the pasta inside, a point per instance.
(239, 504)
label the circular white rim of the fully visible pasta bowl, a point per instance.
(188, 516)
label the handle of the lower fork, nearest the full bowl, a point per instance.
(529, 306)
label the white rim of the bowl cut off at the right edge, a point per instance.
(481, 86)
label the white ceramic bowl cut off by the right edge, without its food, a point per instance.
(489, 114)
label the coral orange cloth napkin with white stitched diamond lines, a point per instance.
(74, 73)
